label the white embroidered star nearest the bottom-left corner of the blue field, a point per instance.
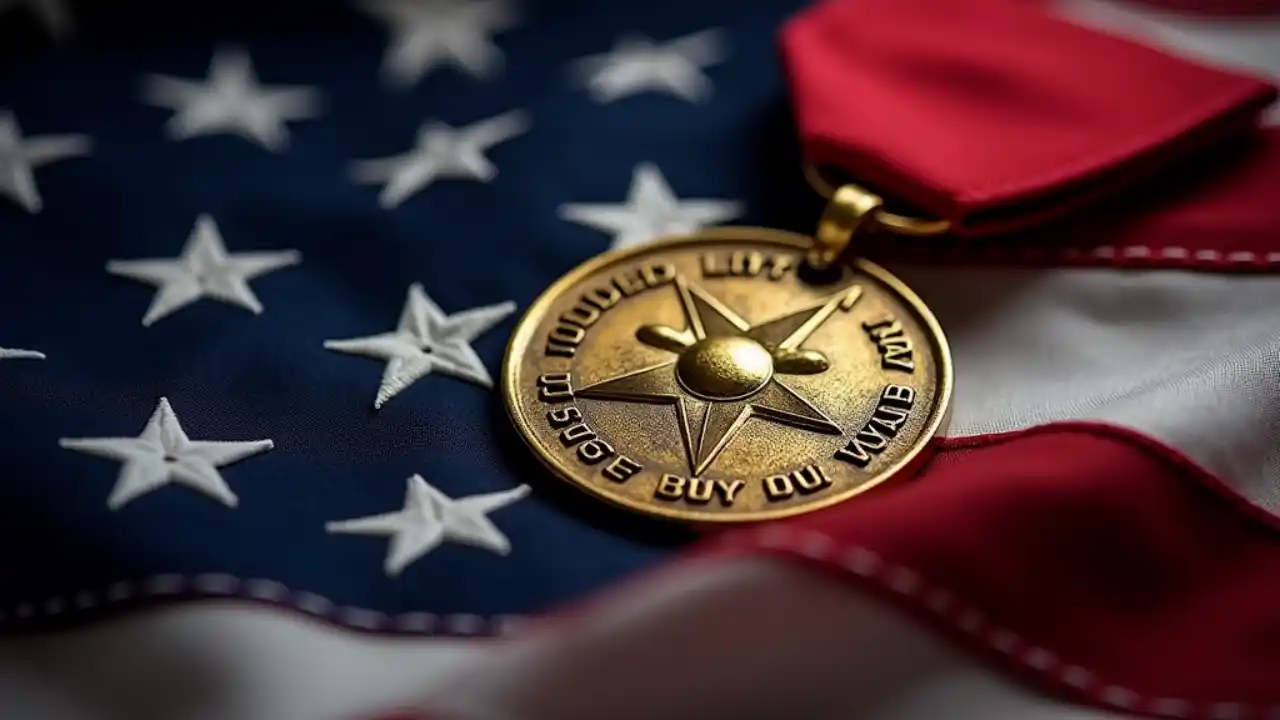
(164, 455)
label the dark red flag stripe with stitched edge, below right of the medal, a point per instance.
(1092, 562)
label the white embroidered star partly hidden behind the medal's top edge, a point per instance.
(651, 211)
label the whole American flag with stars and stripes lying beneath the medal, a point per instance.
(231, 231)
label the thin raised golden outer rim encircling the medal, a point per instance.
(523, 336)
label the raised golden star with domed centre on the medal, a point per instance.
(726, 372)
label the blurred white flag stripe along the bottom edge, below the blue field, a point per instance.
(248, 663)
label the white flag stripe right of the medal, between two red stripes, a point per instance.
(1192, 359)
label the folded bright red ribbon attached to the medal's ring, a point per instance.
(995, 115)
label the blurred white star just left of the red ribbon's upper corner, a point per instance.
(639, 65)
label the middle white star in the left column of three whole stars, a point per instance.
(204, 270)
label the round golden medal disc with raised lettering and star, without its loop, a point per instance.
(703, 379)
